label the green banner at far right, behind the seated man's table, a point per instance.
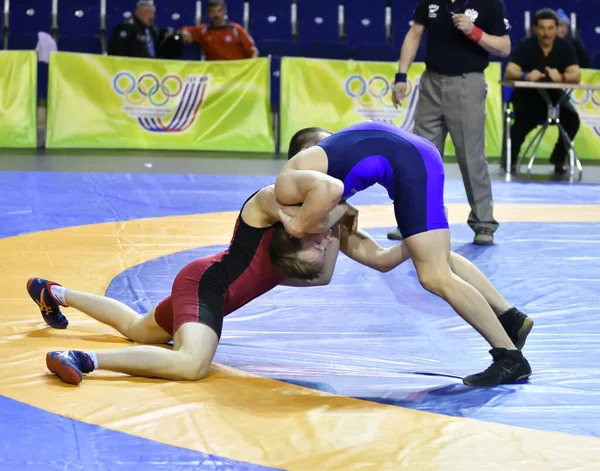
(587, 104)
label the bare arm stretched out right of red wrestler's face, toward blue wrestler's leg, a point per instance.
(362, 248)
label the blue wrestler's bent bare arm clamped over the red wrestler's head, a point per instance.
(318, 192)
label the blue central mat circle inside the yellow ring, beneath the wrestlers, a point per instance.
(382, 338)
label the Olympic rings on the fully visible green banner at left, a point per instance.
(147, 87)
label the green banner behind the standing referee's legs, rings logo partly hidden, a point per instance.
(335, 94)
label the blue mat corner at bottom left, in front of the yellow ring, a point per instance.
(55, 443)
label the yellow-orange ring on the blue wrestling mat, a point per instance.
(231, 413)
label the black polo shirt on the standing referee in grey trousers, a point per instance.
(449, 51)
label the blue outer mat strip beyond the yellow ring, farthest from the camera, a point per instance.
(36, 201)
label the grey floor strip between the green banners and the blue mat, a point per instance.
(142, 161)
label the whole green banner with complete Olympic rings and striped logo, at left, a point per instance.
(122, 102)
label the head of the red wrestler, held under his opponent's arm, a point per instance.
(298, 258)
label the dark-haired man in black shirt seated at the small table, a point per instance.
(543, 58)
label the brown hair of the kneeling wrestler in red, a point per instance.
(283, 249)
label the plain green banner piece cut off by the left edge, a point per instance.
(18, 98)
